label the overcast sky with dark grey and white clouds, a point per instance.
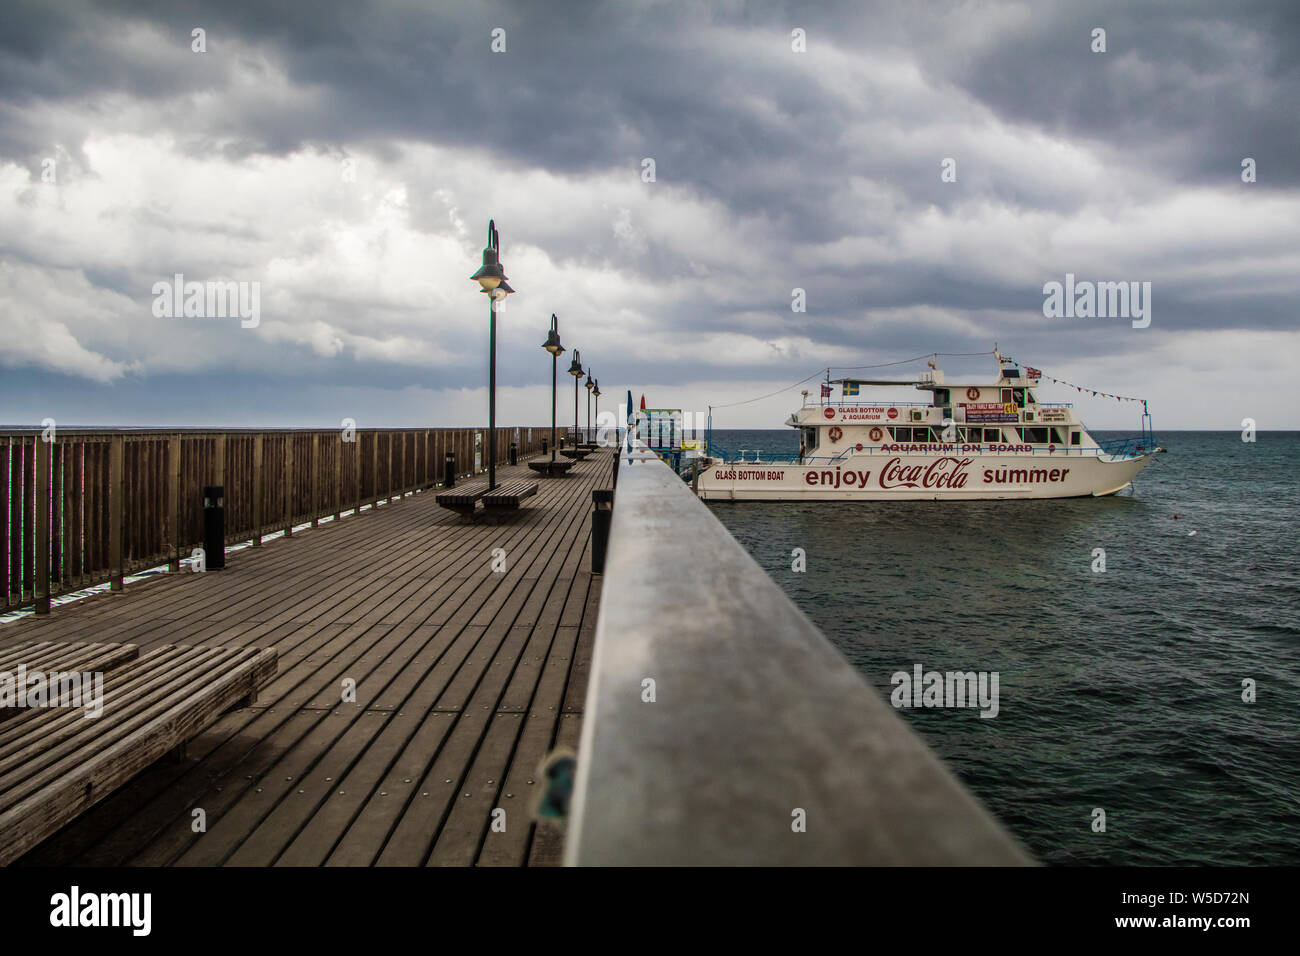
(346, 158)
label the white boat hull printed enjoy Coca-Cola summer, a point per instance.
(922, 478)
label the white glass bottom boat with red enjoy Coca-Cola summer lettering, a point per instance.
(972, 440)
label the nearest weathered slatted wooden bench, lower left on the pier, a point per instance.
(55, 763)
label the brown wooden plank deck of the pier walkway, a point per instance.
(465, 677)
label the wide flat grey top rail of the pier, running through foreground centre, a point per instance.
(782, 729)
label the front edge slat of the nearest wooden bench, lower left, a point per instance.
(171, 723)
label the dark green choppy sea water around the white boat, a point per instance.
(1120, 690)
